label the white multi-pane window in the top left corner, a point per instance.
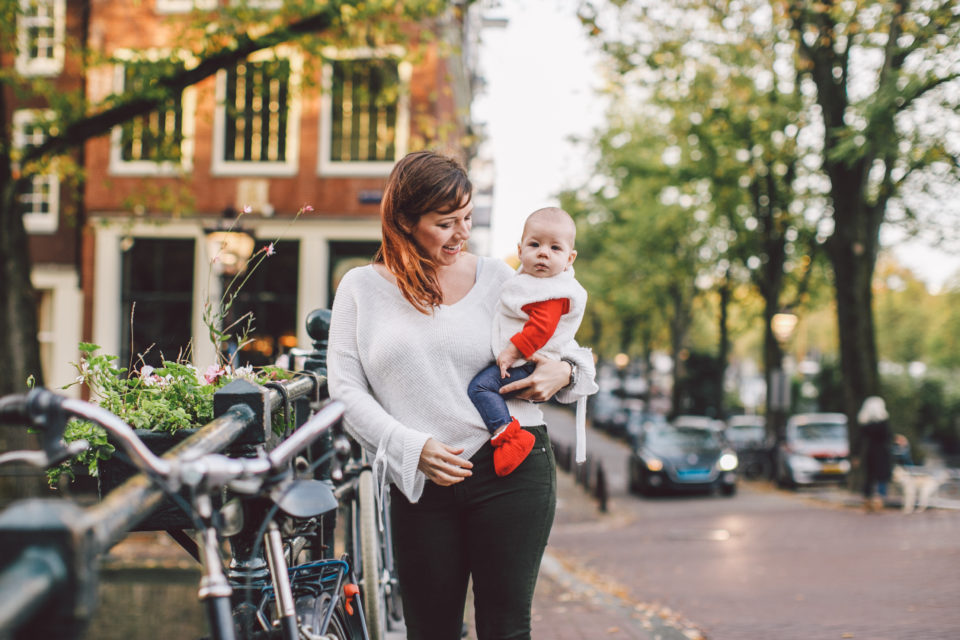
(40, 34)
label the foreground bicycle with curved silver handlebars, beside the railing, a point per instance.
(306, 596)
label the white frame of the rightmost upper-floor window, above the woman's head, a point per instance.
(327, 167)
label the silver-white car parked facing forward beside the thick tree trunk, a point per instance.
(815, 449)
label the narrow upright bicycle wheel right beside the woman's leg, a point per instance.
(369, 561)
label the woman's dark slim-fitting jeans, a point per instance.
(491, 528)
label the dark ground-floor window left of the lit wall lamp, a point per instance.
(156, 301)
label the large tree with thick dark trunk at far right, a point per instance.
(870, 79)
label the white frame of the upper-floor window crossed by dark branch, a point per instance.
(188, 106)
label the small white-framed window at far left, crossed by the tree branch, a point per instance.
(39, 196)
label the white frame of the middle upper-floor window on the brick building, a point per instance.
(288, 167)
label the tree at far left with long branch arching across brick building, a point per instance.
(239, 33)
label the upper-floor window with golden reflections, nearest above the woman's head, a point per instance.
(365, 119)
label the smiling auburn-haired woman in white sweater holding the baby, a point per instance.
(407, 334)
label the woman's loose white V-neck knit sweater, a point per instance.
(403, 374)
